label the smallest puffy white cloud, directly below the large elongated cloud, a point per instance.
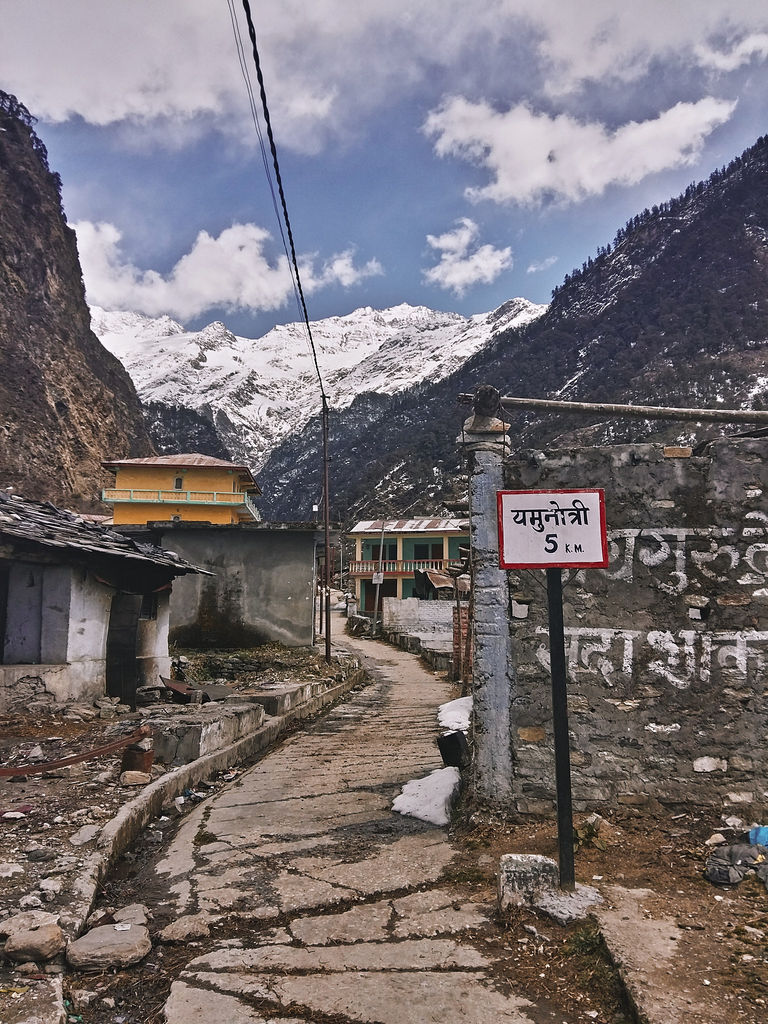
(462, 265)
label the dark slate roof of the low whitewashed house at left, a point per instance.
(42, 526)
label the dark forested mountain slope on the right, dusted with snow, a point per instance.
(674, 312)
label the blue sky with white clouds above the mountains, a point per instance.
(436, 153)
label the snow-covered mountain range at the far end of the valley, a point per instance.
(259, 391)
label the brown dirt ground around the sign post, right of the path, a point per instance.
(723, 932)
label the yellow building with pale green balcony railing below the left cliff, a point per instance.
(181, 488)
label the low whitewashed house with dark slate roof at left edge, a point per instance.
(83, 610)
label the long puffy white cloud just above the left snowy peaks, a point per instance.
(232, 272)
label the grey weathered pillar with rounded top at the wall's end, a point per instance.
(484, 441)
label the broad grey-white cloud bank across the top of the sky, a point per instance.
(331, 63)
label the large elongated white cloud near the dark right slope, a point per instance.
(532, 157)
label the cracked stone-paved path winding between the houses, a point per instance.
(340, 909)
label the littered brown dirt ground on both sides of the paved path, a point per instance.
(723, 932)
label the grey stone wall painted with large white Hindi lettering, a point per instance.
(667, 649)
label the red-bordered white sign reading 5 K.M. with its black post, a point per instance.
(552, 531)
